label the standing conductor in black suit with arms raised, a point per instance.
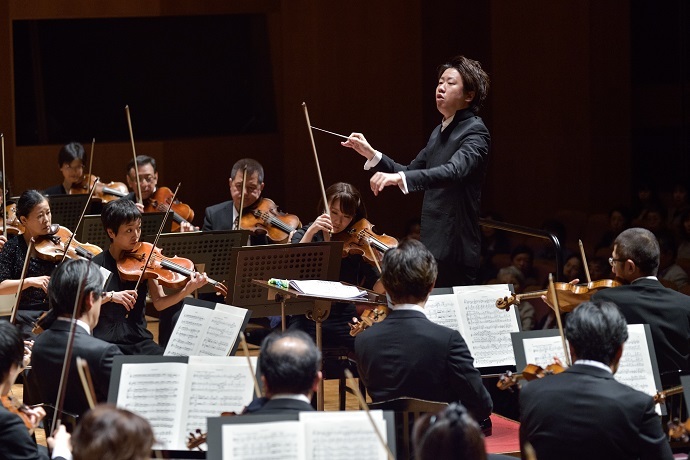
(450, 170)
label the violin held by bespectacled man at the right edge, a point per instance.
(569, 295)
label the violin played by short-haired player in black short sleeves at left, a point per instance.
(172, 272)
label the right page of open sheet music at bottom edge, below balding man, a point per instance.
(331, 436)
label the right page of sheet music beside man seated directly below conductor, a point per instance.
(485, 328)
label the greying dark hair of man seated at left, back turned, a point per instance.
(68, 279)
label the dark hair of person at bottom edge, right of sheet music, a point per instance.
(452, 433)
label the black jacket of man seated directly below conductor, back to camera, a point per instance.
(408, 355)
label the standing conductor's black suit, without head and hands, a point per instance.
(450, 170)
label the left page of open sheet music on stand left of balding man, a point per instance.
(155, 392)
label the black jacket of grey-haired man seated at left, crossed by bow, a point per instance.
(47, 359)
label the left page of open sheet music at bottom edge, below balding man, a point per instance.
(265, 441)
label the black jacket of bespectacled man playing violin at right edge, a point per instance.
(647, 301)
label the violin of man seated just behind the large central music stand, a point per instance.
(265, 218)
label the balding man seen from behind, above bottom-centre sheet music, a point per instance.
(290, 366)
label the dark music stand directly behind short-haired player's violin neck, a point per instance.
(210, 249)
